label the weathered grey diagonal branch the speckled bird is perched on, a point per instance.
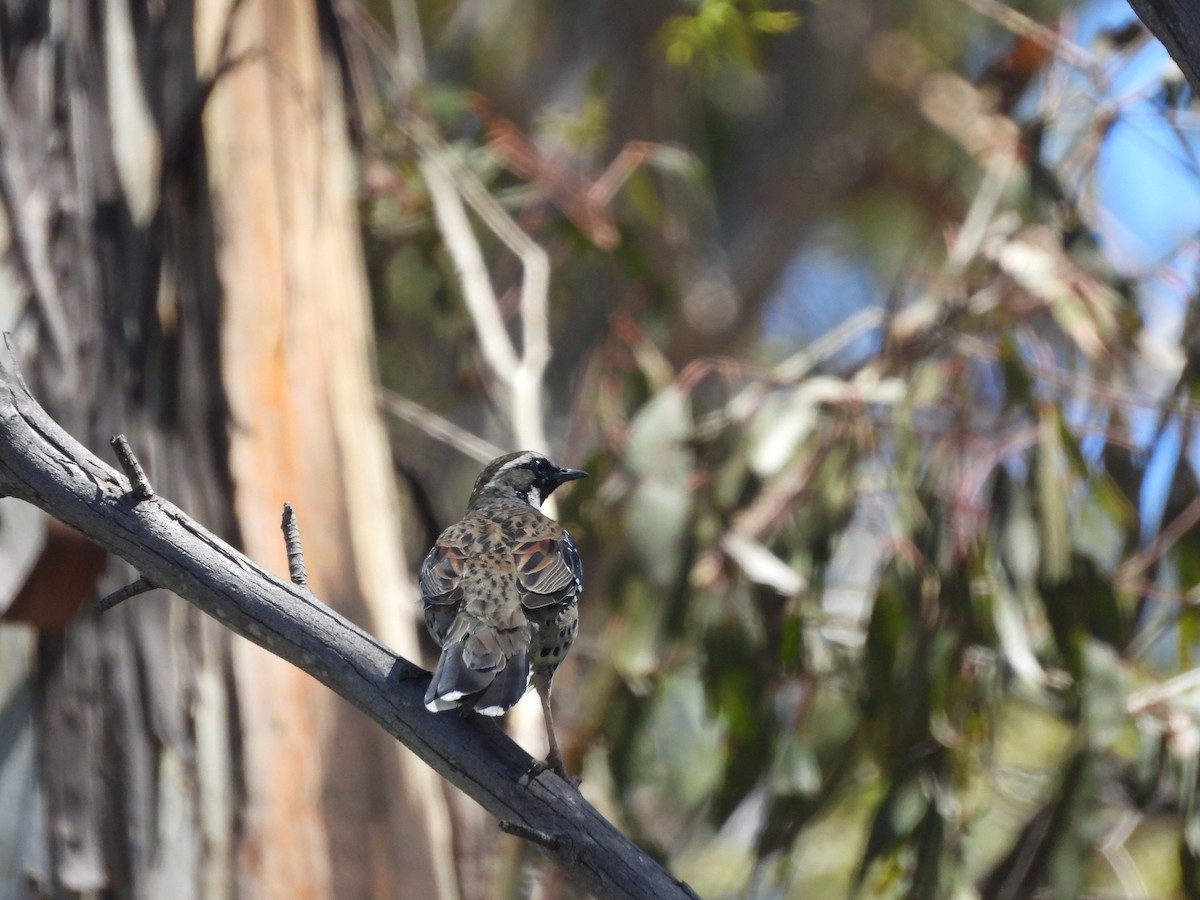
(43, 465)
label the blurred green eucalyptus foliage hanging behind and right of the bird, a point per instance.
(881, 613)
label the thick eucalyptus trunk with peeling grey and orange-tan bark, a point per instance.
(183, 266)
